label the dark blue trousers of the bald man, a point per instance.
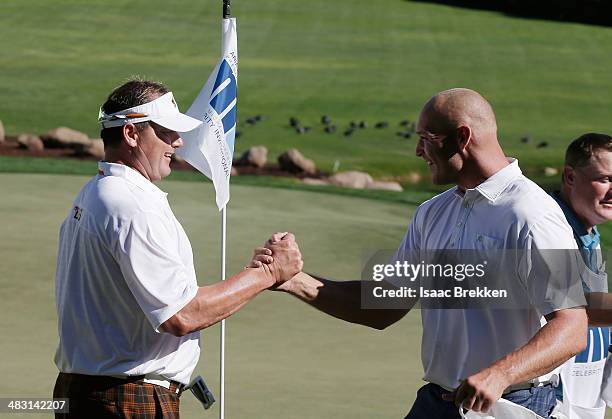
(429, 403)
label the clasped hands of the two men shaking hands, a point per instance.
(280, 257)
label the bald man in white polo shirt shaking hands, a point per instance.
(474, 357)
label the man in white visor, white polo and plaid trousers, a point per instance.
(128, 303)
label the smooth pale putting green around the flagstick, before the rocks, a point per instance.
(284, 359)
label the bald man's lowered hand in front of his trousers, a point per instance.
(480, 391)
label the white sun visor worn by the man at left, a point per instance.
(163, 111)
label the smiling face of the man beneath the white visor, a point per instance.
(153, 152)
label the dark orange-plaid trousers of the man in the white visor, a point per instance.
(99, 397)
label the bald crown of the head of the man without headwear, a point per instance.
(453, 108)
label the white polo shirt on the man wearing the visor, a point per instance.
(124, 267)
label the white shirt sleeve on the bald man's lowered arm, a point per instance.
(552, 266)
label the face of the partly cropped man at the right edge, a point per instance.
(589, 189)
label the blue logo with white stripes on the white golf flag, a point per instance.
(224, 99)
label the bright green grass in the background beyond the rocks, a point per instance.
(351, 60)
